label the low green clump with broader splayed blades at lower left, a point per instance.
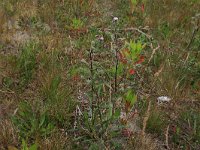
(31, 123)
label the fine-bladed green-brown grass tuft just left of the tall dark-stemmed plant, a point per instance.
(57, 99)
